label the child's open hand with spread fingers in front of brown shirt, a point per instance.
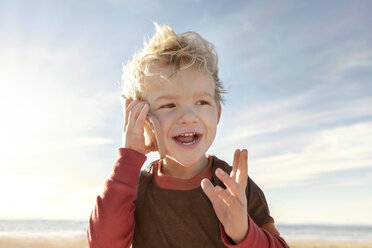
(230, 204)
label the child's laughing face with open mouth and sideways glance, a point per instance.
(187, 114)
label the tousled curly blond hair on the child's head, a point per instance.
(178, 52)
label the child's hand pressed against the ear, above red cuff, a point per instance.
(135, 115)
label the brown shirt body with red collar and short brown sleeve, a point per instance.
(167, 216)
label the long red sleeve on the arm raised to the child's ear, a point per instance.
(111, 222)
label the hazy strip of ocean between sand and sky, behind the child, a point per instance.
(65, 228)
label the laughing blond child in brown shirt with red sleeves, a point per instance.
(172, 104)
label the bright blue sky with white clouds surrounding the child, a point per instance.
(300, 96)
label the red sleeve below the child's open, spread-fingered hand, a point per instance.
(256, 237)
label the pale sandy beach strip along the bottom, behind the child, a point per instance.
(11, 242)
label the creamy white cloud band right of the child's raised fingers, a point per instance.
(342, 148)
